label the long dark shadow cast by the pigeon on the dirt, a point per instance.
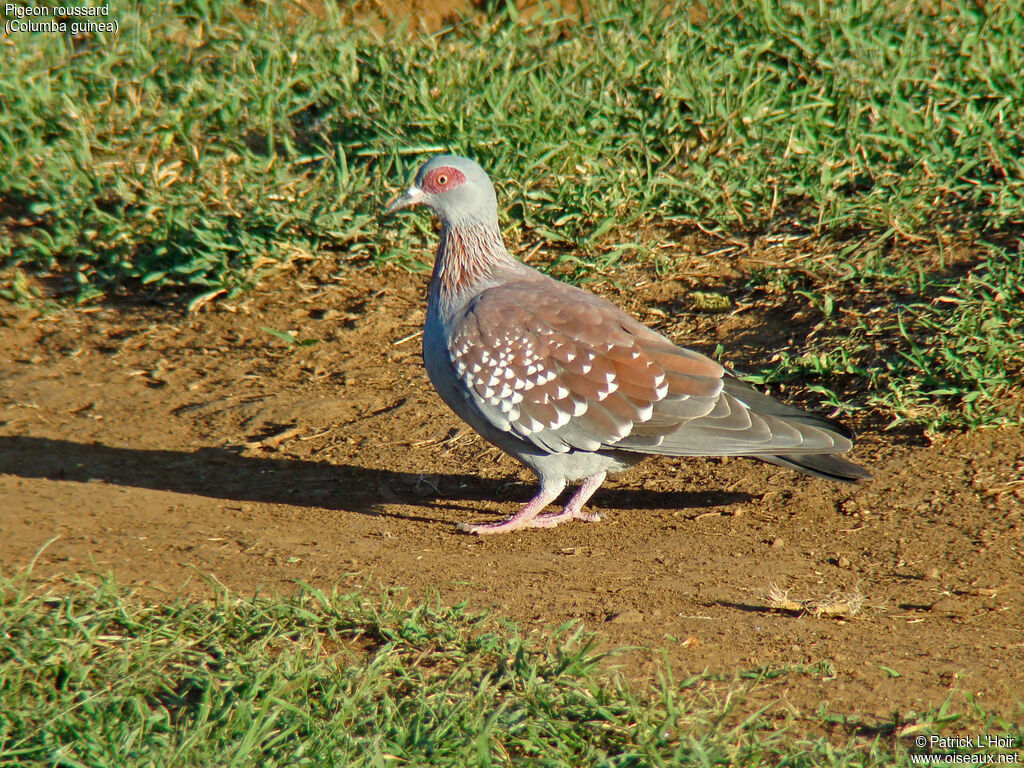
(226, 475)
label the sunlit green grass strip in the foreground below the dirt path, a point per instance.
(92, 675)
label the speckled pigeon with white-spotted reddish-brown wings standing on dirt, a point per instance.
(570, 385)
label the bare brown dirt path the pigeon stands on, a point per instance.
(159, 446)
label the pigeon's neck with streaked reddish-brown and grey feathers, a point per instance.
(466, 257)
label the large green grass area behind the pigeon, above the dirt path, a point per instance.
(211, 141)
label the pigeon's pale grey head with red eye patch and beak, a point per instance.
(456, 189)
